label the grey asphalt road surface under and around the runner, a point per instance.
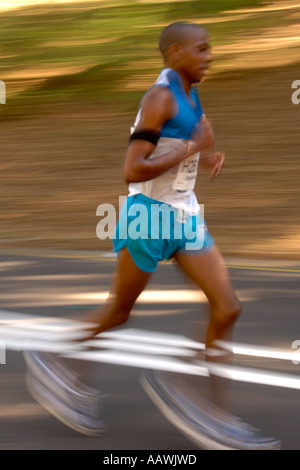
(65, 284)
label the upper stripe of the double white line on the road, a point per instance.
(17, 330)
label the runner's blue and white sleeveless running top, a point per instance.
(176, 186)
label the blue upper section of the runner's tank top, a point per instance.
(190, 110)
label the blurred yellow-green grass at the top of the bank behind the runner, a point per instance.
(101, 46)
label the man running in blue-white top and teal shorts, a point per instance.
(170, 141)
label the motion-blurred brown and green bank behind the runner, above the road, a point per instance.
(74, 75)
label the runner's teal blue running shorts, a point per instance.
(153, 231)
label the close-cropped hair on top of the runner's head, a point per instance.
(177, 33)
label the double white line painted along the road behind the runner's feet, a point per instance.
(136, 348)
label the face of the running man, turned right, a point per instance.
(195, 55)
